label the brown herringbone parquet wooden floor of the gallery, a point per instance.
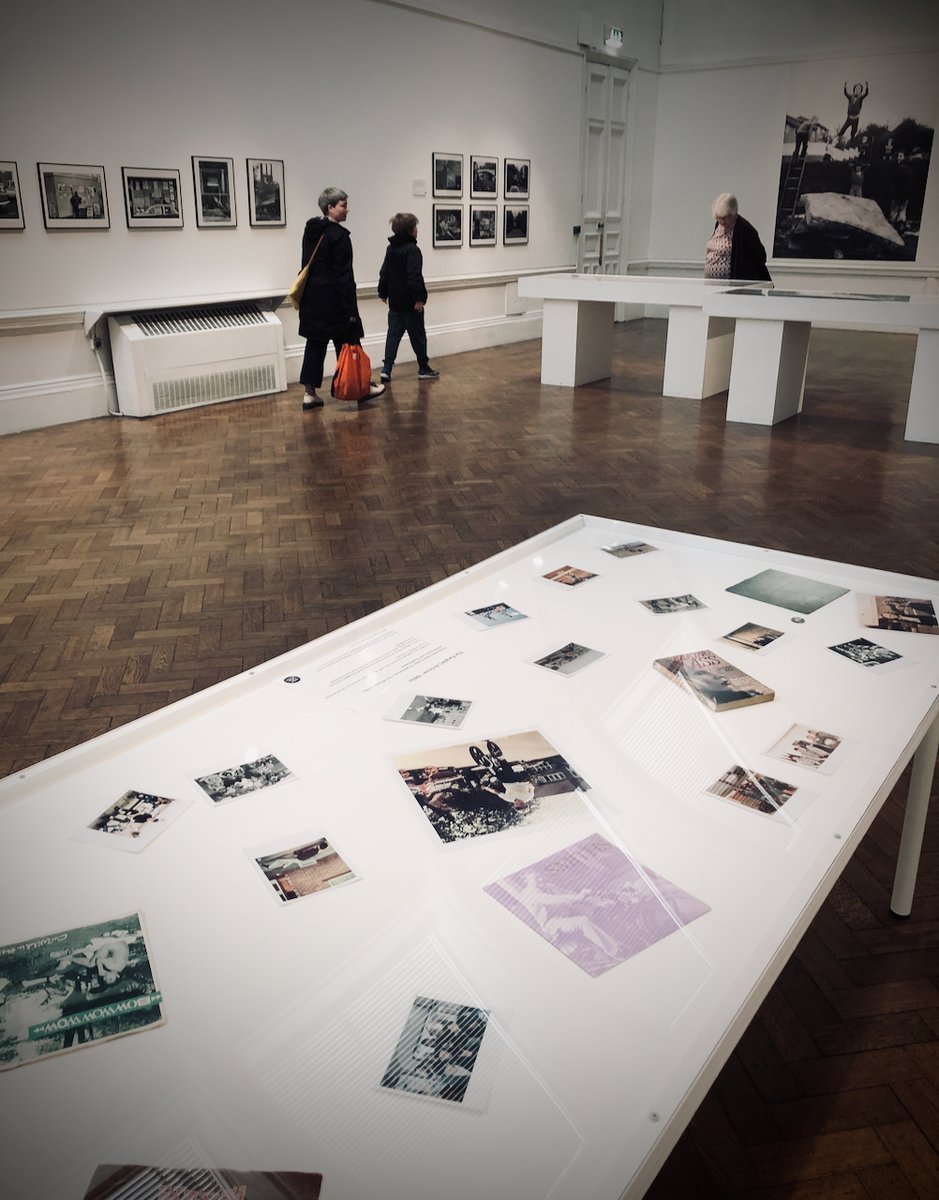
(142, 561)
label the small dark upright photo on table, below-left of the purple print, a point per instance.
(438, 1052)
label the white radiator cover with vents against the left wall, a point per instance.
(183, 358)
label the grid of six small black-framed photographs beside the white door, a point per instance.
(485, 220)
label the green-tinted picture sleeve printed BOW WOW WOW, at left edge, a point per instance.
(76, 988)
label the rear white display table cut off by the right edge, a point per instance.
(771, 349)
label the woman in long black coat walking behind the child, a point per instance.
(330, 310)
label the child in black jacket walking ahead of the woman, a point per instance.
(402, 286)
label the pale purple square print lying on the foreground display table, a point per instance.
(595, 904)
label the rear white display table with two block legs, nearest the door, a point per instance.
(577, 337)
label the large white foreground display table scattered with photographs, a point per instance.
(282, 1018)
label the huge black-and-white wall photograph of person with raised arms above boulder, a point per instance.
(857, 145)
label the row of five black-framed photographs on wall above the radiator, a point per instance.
(75, 196)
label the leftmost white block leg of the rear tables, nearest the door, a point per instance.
(577, 341)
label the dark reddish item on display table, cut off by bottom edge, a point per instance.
(113, 1181)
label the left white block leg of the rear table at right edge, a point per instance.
(769, 370)
